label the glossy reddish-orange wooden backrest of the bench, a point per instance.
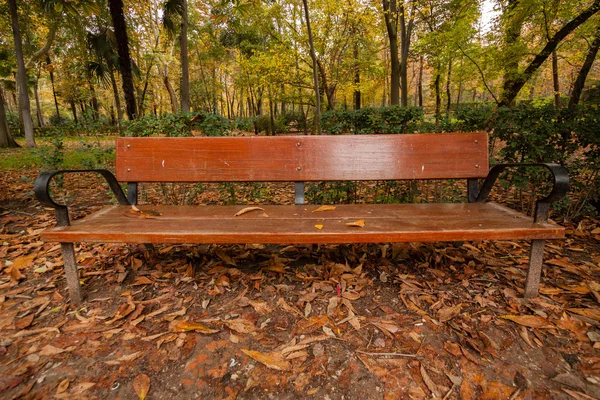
(303, 158)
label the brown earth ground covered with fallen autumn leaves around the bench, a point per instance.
(393, 321)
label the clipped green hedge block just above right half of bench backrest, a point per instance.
(370, 120)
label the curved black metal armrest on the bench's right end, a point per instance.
(542, 206)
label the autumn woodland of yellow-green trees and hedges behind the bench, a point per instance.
(523, 70)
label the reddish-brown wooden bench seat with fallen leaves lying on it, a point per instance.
(296, 224)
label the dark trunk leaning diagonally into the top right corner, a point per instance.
(514, 84)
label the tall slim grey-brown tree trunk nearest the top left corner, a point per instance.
(21, 76)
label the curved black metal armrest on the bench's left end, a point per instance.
(41, 190)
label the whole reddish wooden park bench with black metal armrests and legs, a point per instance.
(300, 159)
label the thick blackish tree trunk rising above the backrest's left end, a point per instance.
(116, 13)
